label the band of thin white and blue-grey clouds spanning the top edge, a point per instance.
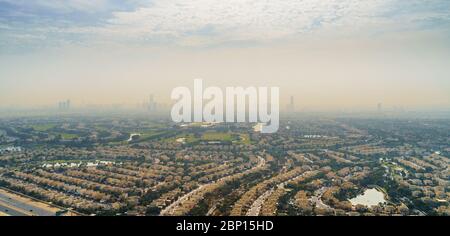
(213, 22)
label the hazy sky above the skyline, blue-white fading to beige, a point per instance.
(328, 54)
